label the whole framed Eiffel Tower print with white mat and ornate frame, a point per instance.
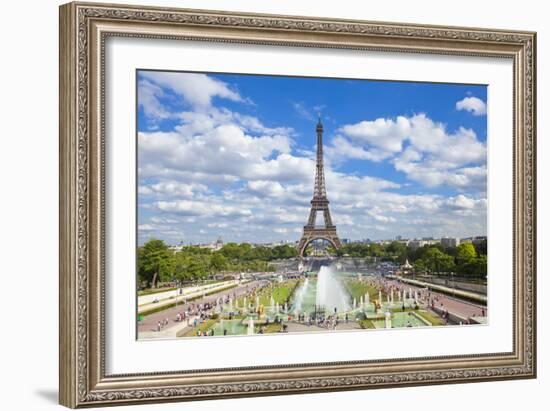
(258, 204)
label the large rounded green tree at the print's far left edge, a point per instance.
(155, 261)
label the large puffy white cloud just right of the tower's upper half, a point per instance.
(419, 147)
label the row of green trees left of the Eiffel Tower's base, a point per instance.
(157, 262)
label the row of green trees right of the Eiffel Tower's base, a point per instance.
(466, 259)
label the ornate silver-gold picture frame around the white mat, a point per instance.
(84, 29)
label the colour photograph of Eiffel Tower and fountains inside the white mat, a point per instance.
(270, 204)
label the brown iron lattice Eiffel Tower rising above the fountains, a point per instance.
(319, 203)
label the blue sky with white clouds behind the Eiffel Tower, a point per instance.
(233, 156)
